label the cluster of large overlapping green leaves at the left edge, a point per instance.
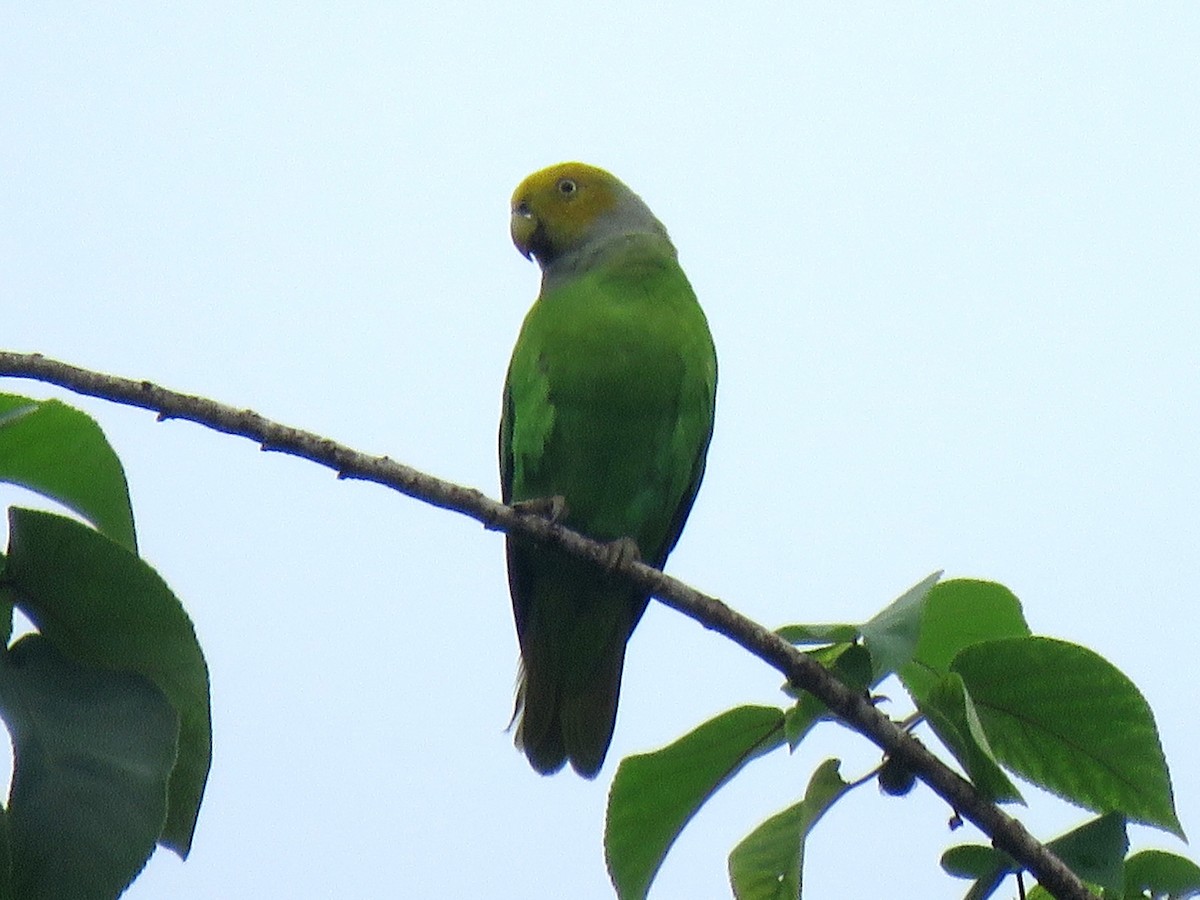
(107, 703)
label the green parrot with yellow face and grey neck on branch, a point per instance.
(608, 415)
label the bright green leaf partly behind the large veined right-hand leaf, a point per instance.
(959, 614)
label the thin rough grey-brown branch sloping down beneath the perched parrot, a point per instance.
(801, 670)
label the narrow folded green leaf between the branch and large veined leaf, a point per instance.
(951, 713)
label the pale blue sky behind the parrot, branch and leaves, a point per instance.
(951, 256)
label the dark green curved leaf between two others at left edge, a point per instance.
(104, 607)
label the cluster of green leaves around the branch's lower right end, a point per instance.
(997, 697)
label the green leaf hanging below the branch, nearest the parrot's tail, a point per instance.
(653, 796)
